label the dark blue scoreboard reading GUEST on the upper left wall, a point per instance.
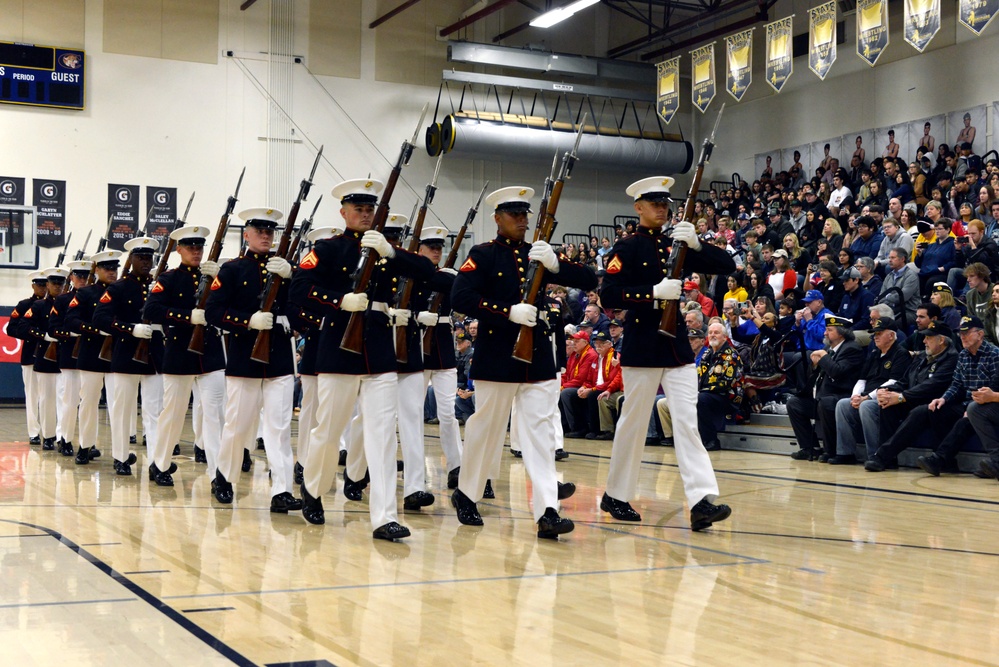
(43, 76)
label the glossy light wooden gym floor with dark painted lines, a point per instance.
(818, 565)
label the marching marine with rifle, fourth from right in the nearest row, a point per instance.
(254, 389)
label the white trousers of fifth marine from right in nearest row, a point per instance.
(176, 392)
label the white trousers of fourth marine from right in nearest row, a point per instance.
(269, 402)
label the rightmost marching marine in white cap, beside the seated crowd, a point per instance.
(637, 280)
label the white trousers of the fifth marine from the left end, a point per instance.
(122, 408)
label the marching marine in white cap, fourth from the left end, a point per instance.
(95, 373)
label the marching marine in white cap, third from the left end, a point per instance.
(69, 377)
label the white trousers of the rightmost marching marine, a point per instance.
(680, 385)
